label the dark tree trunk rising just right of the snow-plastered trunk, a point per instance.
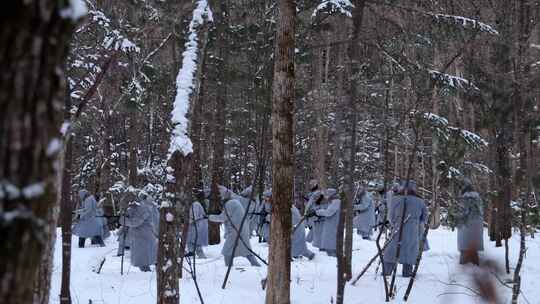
(221, 24)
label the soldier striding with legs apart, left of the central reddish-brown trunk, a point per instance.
(231, 216)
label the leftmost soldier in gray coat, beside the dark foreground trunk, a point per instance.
(88, 225)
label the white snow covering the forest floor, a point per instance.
(440, 279)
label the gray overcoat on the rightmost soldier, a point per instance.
(470, 219)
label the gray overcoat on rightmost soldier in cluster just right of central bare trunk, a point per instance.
(330, 215)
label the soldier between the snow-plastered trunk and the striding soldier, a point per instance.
(198, 231)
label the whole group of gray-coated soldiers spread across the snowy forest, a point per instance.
(400, 212)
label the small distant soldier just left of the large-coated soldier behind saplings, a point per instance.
(364, 210)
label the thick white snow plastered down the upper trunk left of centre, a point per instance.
(180, 140)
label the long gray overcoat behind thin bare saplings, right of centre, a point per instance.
(416, 213)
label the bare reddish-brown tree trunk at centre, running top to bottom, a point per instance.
(279, 268)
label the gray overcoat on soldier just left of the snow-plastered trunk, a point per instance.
(142, 239)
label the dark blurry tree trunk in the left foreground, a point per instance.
(33, 47)
